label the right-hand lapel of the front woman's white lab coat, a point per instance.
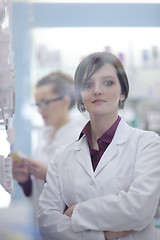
(120, 137)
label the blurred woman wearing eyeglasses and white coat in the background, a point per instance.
(54, 98)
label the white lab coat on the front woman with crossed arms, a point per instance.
(122, 193)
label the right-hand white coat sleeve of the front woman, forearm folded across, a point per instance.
(132, 210)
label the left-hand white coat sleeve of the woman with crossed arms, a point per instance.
(53, 224)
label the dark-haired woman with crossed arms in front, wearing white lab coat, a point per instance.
(106, 185)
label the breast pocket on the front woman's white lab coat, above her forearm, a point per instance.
(121, 184)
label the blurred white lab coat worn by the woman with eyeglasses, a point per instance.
(45, 152)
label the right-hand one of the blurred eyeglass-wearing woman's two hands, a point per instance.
(37, 169)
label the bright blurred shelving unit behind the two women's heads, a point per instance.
(141, 59)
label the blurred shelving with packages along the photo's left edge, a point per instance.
(7, 94)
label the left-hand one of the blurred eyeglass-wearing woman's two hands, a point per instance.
(20, 171)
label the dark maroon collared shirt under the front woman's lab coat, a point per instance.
(103, 141)
